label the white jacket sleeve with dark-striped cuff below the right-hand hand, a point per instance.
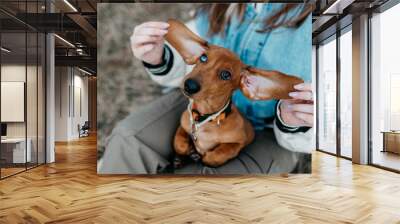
(297, 139)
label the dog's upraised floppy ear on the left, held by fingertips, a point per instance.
(188, 44)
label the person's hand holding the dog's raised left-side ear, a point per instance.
(147, 41)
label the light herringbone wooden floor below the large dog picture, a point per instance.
(70, 191)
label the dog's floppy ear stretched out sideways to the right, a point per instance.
(258, 84)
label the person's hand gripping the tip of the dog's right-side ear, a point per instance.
(299, 111)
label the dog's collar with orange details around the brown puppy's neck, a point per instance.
(197, 120)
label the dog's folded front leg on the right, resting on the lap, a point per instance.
(221, 154)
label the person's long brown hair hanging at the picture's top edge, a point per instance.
(220, 15)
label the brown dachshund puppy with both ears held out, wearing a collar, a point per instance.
(212, 128)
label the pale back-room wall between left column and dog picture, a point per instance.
(68, 83)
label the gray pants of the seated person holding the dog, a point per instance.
(142, 143)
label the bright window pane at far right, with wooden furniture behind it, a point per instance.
(385, 88)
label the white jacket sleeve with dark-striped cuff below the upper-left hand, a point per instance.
(172, 70)
